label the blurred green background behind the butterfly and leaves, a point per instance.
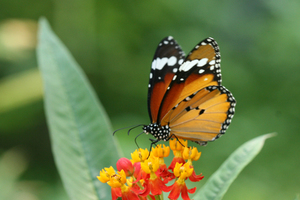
(114, 42)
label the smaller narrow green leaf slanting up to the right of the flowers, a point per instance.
(219, 182)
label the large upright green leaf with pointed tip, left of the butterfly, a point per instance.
(80, 131)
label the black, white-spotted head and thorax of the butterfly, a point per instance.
(158, 131)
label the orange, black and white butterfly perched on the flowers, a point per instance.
(185, 96)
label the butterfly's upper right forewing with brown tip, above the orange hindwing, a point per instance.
(200, 69)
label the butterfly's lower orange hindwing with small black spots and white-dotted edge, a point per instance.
(204, 115)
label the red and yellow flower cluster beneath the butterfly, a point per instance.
(146, 175)
